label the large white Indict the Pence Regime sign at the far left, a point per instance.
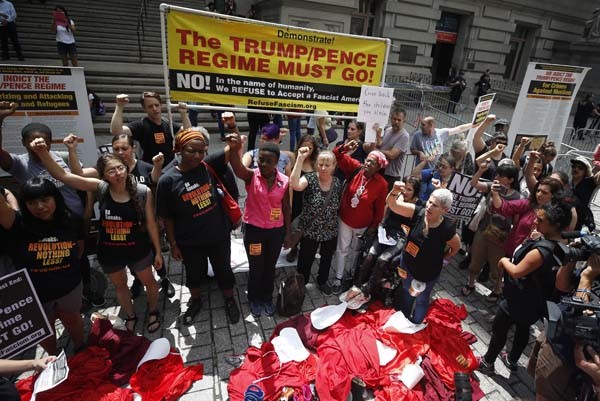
(55, 96)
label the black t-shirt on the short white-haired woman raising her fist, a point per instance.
(423, 256)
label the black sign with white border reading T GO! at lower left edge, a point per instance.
(23, 322)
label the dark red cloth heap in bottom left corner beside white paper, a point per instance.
(88, 380)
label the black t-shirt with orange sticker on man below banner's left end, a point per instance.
(154, 138)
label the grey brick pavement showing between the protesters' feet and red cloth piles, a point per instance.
(211, 338)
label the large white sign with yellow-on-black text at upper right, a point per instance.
(545, 101)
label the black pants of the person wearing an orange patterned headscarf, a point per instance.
(195, 259)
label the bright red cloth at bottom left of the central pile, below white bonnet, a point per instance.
(263, 364)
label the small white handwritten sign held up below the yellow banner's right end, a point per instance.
(374, 108)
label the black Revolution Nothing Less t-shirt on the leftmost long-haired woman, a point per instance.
(50, 253)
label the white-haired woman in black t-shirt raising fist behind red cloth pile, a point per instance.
(432, 239)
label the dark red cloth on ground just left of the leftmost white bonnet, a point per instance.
(126, 349)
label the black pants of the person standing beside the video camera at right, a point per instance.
(500, 327)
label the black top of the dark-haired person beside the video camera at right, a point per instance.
(525, 297)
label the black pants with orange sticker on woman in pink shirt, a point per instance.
(263, 246)
